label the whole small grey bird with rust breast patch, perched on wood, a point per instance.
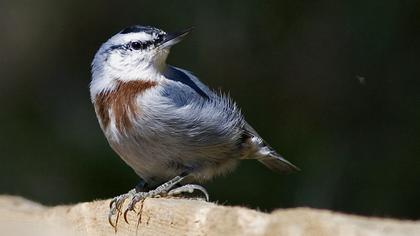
(166, 124)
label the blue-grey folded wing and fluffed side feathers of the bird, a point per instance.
(192, 111)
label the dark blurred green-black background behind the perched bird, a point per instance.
(334, 86)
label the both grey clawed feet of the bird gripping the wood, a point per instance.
(134, 197)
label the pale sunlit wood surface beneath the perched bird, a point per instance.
(161, 216)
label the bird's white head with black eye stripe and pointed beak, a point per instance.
(136, 52)
